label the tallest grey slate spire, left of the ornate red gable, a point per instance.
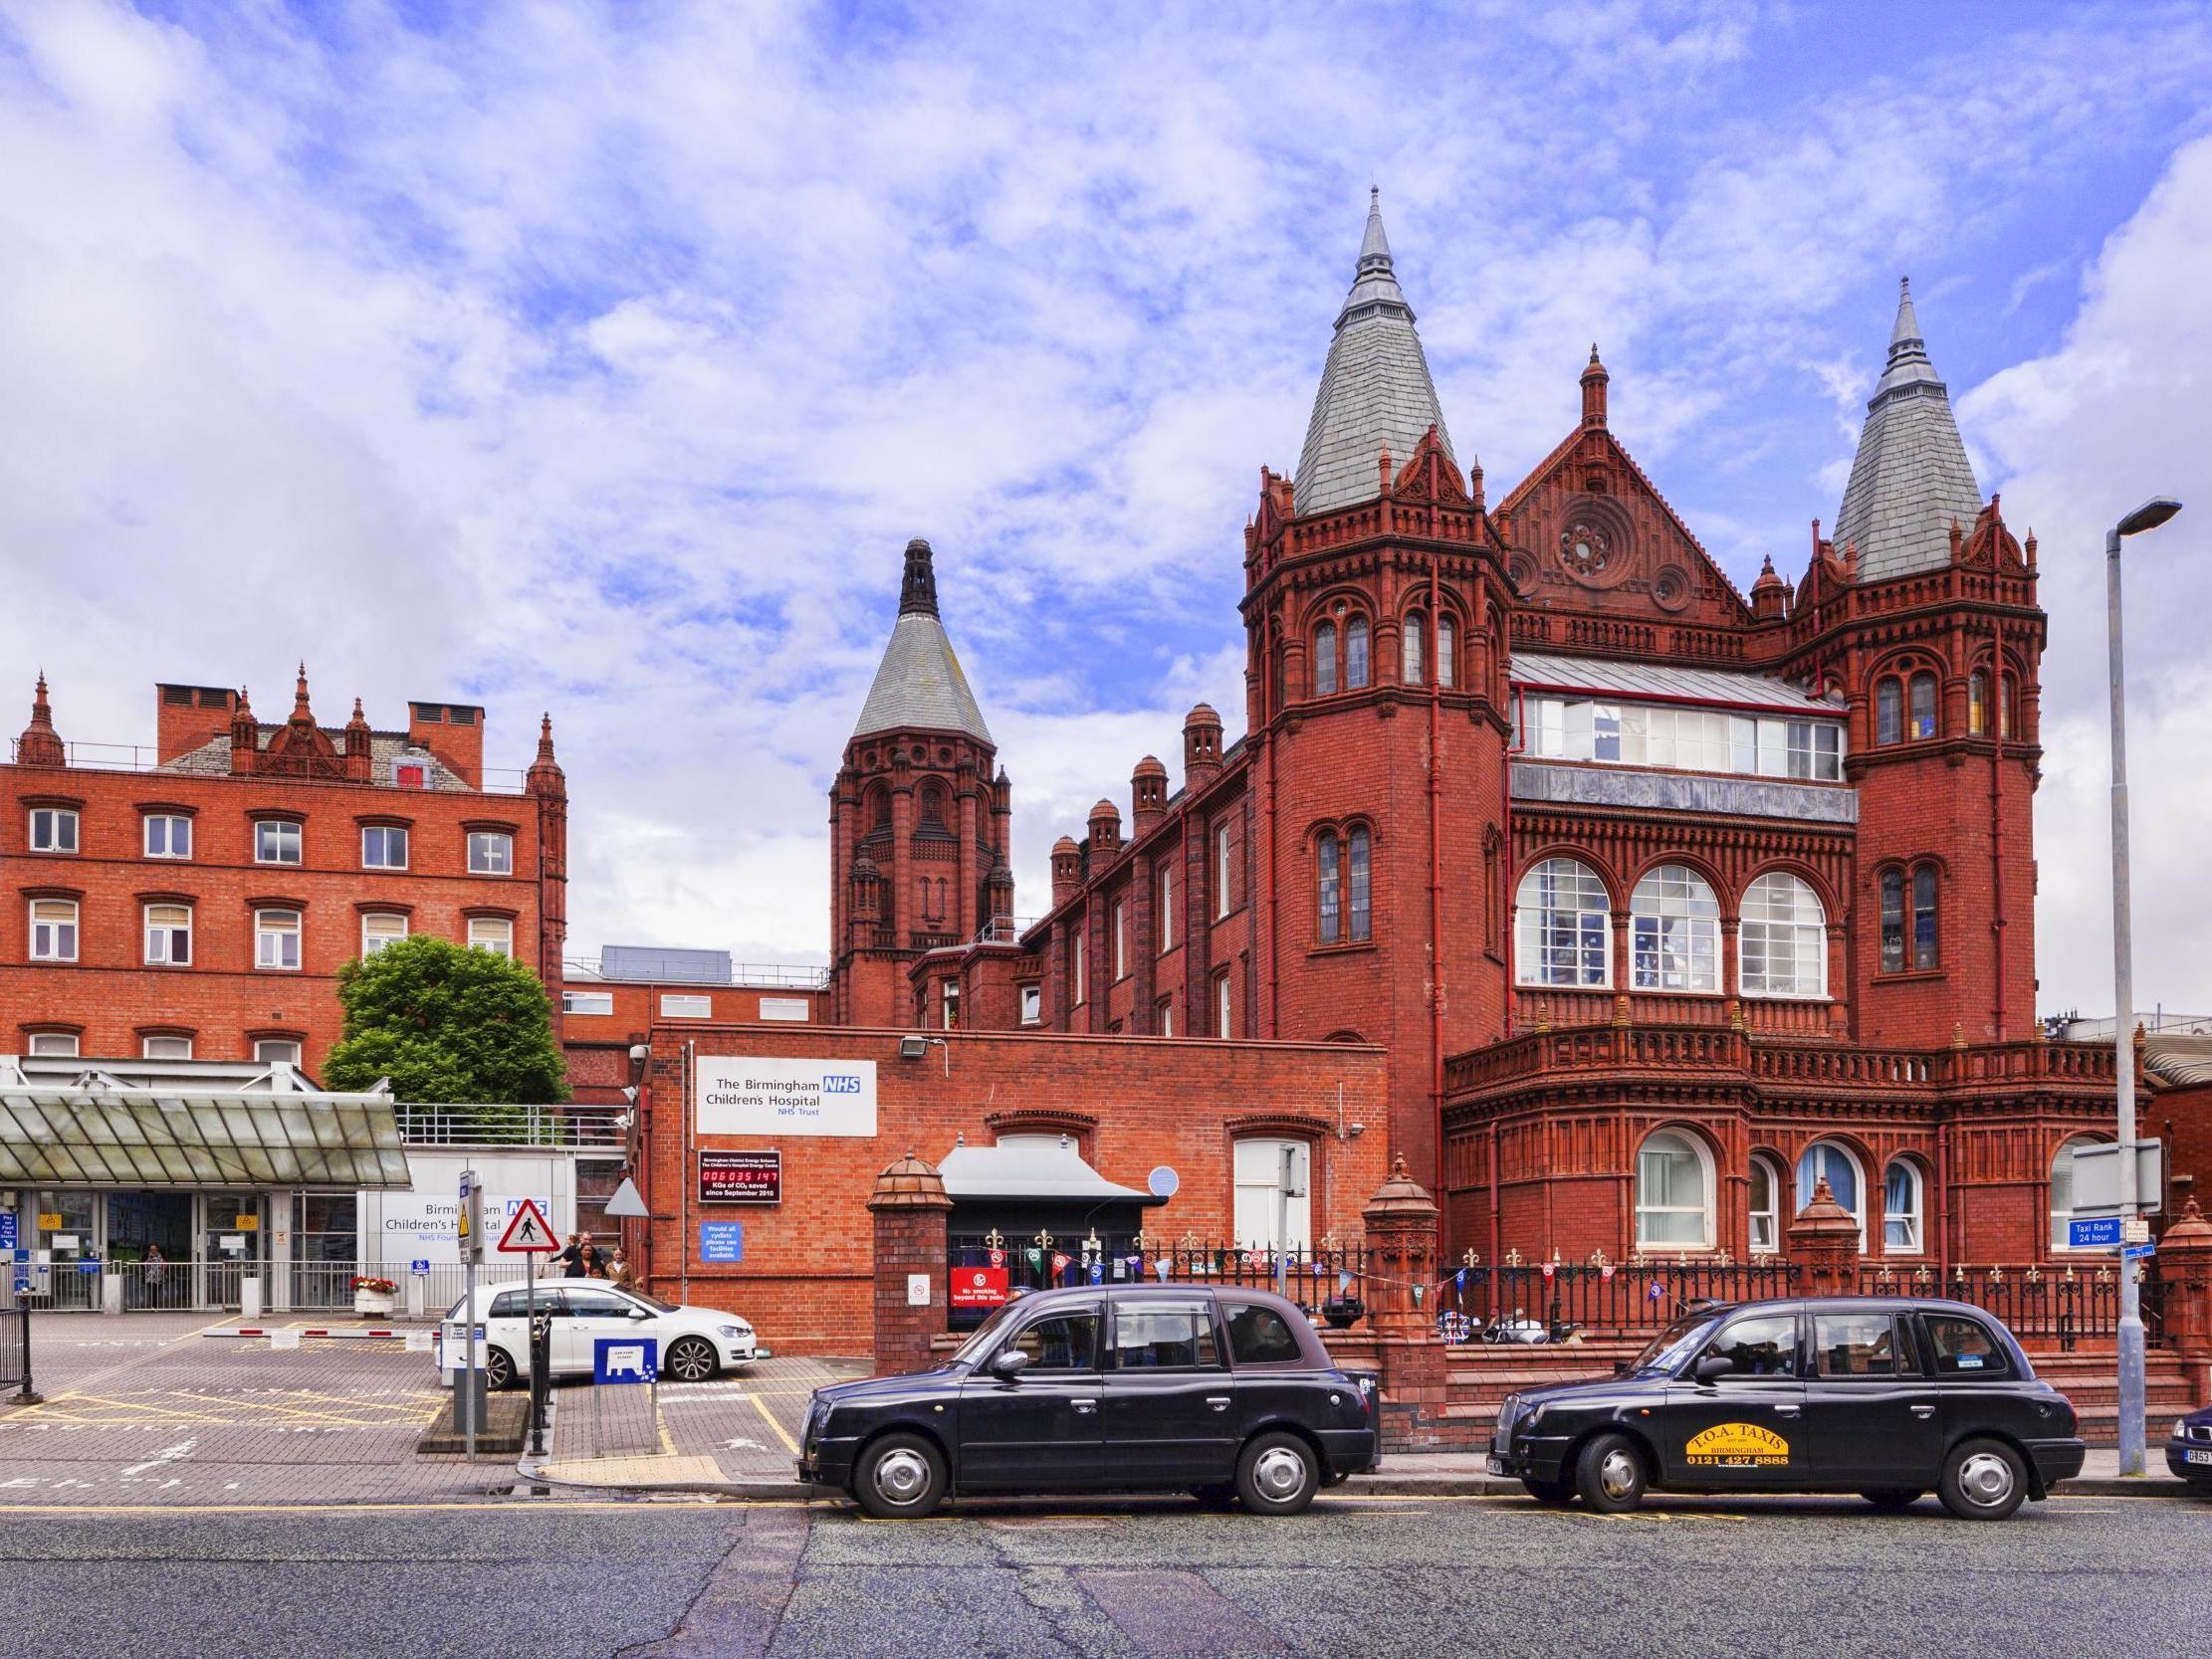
(1375, 390)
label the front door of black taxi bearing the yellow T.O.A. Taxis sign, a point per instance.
(1744, 1428)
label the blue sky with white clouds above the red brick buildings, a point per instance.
(603, 359)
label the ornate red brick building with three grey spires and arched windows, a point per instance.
(1662, 899)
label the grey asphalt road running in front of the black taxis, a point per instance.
(567, 1580)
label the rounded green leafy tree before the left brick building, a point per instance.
(448, 1023)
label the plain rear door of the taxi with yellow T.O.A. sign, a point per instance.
(1875, 1419)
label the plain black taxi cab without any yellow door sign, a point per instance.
(1218, 1390)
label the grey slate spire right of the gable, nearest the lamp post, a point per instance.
(1910, 479)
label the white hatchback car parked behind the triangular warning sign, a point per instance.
(693, 1342)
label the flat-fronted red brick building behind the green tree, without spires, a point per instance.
(198, 899)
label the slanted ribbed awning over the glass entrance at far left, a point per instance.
(198, 1140)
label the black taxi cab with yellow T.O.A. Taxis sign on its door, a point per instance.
(1877, 1397)
